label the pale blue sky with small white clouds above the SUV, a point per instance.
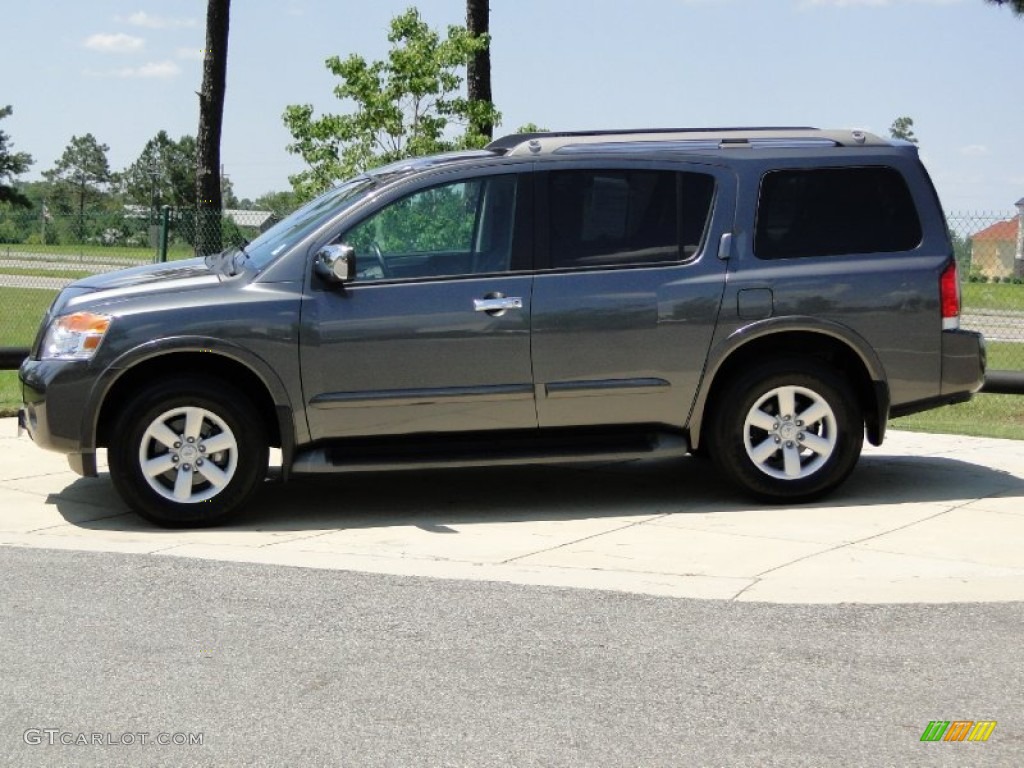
(123, 70)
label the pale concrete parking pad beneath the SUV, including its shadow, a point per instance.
(926, 519)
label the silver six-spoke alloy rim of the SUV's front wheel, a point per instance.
(189, 455)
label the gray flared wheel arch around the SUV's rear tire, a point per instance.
(833, 345)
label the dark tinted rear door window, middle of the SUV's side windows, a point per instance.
(610, 219)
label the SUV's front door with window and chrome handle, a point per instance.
(434, 334)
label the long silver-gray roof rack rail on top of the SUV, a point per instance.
(669, 140)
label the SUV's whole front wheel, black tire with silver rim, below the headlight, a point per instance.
(206, 480)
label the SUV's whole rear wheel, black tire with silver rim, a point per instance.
(793, 459)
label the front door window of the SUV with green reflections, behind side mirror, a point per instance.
(463, 228)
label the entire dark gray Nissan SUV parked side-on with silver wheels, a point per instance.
(765, 297)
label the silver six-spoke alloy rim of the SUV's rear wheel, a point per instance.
(790, 433)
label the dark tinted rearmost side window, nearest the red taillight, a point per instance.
(835, 211)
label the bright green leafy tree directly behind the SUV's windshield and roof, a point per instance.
(404, 107)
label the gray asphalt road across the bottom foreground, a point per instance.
(279, 666)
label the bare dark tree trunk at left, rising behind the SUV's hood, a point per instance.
(211, 112)
